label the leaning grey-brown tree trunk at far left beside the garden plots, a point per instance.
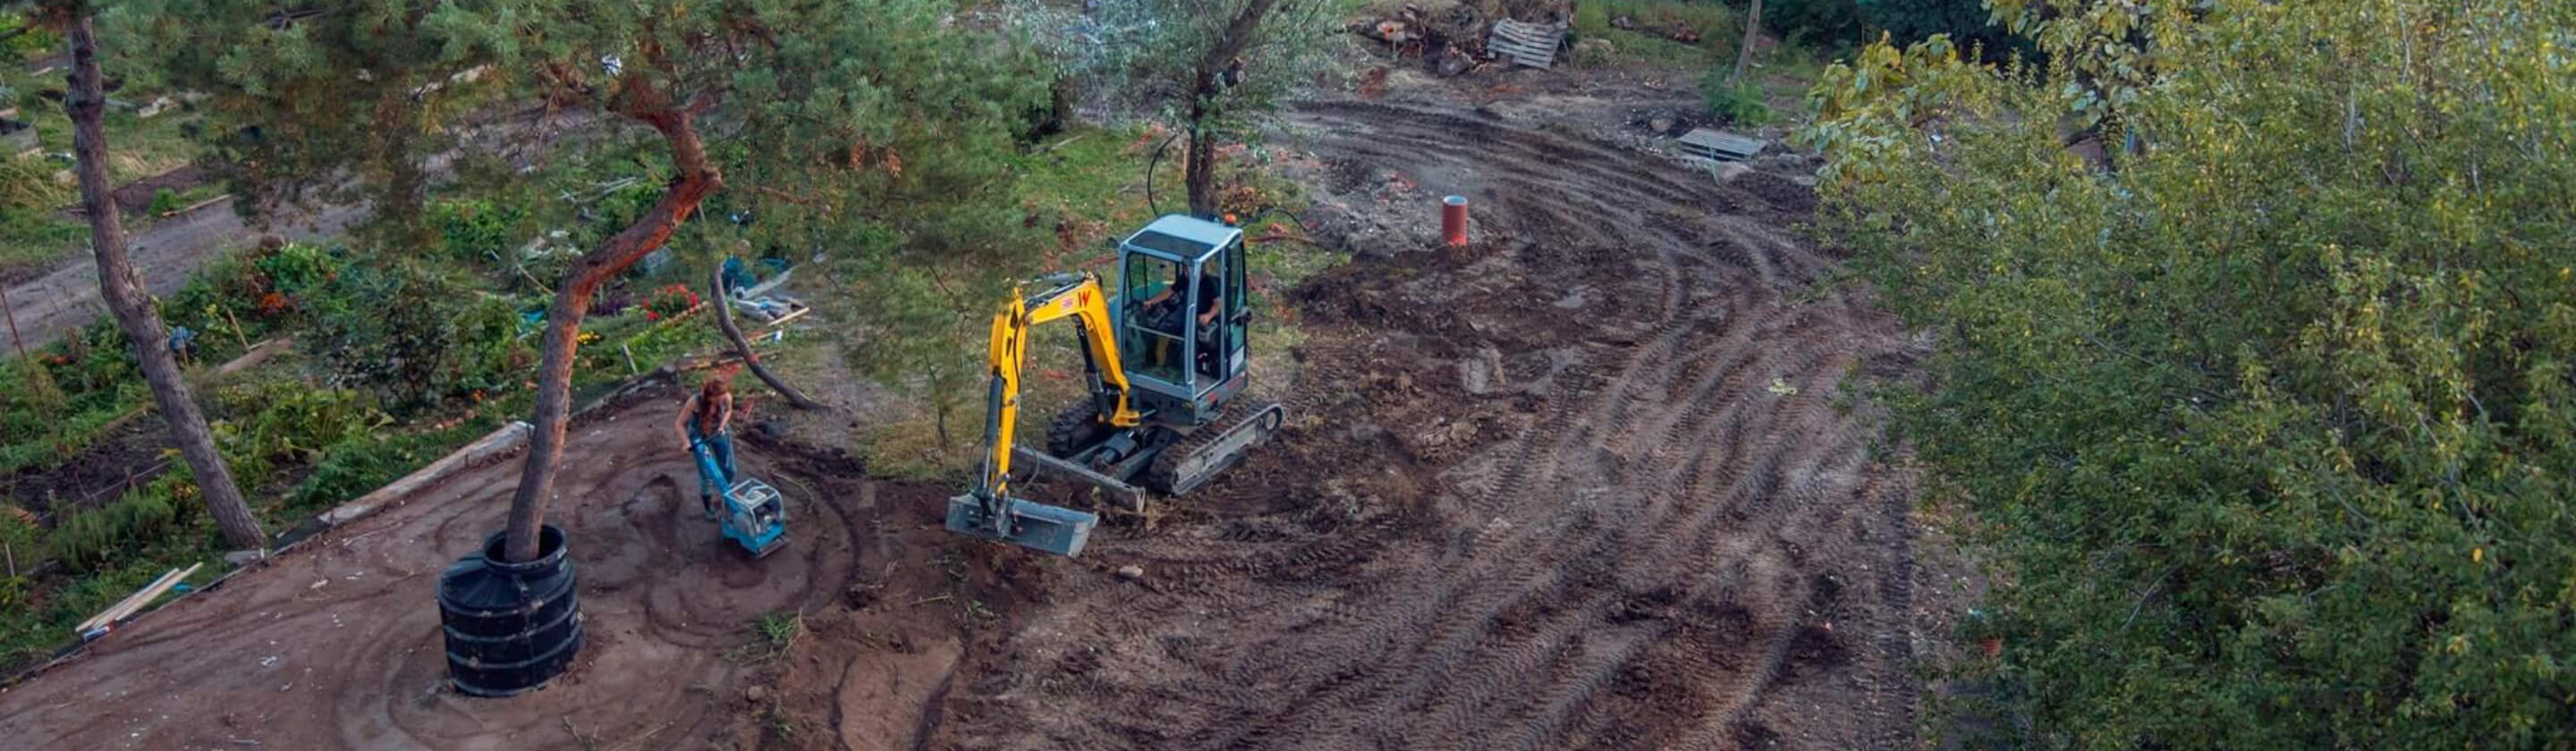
(135, 310)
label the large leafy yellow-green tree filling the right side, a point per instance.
(2268, 426)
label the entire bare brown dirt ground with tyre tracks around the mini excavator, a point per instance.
(1588, 485)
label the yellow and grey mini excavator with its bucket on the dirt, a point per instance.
(1166, 361)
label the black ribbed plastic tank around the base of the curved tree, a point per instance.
(511, 626)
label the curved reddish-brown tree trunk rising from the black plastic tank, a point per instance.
(643, 102)
